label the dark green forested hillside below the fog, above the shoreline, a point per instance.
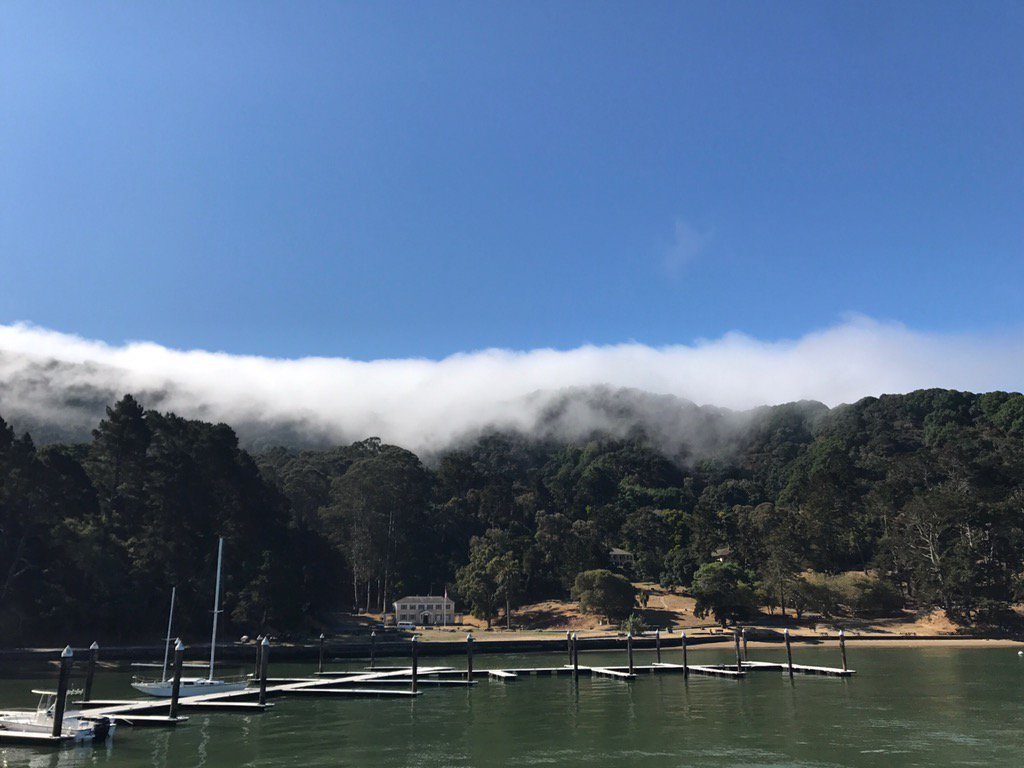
(925, 491)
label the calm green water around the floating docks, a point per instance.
(920, 707)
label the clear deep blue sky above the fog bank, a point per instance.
(383, 180)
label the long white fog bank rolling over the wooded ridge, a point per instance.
(424, 405)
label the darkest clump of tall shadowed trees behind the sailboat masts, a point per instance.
(94, 538)
